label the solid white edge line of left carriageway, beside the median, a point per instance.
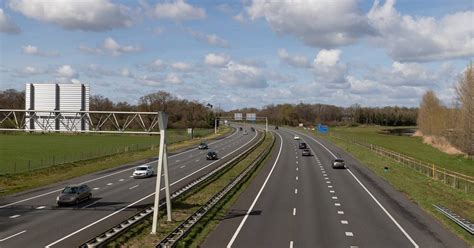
(139, 200)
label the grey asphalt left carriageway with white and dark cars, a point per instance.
(31, 219)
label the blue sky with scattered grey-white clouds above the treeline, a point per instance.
(241, 53)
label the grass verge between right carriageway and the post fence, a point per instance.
(419, 188)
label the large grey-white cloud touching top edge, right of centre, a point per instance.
(319, 23)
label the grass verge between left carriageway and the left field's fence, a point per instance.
(10, 184)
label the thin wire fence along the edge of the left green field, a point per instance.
(53, 160)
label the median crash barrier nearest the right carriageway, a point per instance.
(183, 229)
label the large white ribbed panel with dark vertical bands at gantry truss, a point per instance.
(54, 97)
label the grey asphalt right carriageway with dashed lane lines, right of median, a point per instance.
(300, 201)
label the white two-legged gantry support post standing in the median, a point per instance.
(162, 164)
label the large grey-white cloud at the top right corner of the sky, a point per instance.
(408, 38)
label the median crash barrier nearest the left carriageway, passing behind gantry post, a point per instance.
(108, 236)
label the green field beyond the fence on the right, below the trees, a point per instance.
(411, 146)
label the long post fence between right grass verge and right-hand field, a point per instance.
(454, 179)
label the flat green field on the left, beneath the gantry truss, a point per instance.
(21, 152)
